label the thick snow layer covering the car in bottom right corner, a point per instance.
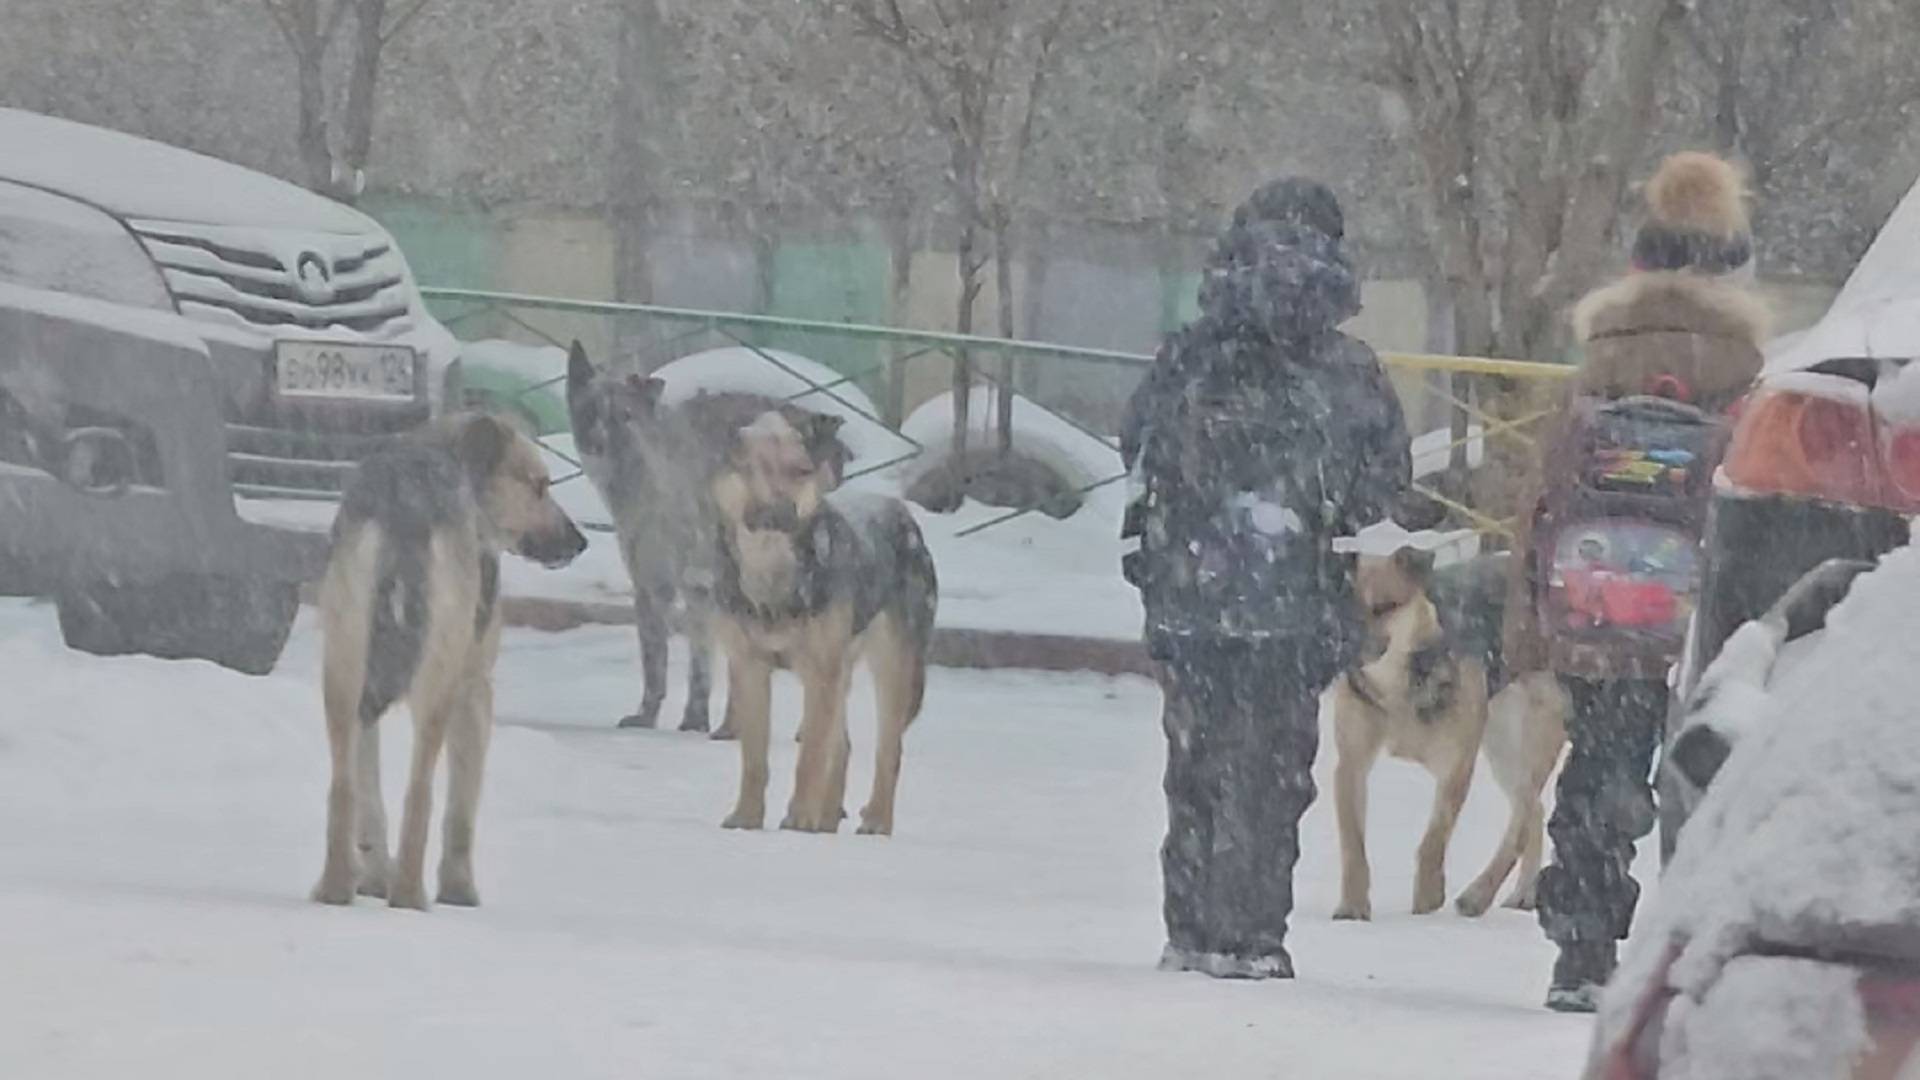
(1812, 833)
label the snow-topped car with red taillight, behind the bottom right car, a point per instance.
(1825, 456)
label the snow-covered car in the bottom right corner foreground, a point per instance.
(1785, 939)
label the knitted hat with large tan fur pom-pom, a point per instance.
(1696, 218)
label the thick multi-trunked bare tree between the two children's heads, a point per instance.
(1527, 118)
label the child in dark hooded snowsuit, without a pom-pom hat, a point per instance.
(1259, 437)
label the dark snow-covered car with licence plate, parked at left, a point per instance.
(185, 345)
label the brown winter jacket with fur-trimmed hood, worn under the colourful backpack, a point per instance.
(1641, 335)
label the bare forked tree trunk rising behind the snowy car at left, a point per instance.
(337, 166)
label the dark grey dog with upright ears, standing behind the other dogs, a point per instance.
(652, 466)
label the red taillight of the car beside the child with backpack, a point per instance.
(1808, 445)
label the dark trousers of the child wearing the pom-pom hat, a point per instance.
(1602, 806)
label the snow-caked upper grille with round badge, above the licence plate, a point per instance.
(281, 282)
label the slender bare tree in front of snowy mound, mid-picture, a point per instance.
(980, 70)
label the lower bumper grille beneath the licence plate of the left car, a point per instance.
(310, 454)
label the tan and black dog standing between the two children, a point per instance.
(1422, 695)
